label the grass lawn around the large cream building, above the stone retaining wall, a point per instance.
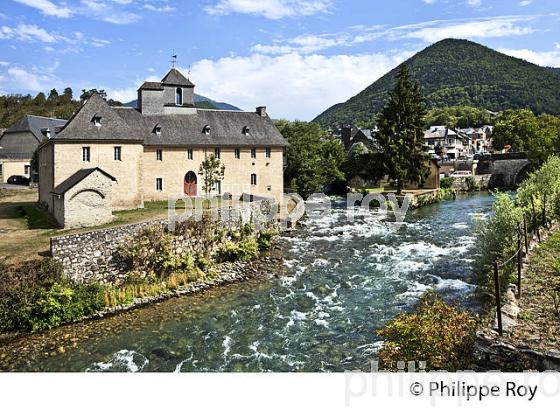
(25, 229)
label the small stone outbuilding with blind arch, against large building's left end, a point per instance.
(84, 199)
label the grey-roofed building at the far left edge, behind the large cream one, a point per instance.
(19, 142)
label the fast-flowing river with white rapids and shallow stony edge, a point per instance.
(342, 281)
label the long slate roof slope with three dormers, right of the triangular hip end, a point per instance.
(226, 128)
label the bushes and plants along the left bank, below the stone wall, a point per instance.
(36, 295)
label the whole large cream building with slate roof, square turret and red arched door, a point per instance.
(150, 153)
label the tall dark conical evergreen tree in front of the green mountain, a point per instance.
(401, 132)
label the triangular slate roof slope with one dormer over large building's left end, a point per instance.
(81, 126)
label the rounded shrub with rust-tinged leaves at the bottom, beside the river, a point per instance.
(437, 333)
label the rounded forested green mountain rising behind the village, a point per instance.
(459, 72)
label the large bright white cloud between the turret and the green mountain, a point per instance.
(315, 82)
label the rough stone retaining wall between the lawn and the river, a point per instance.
(92, 256)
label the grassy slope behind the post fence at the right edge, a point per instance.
(539, 320)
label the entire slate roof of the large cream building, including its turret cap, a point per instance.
(96, 120)
